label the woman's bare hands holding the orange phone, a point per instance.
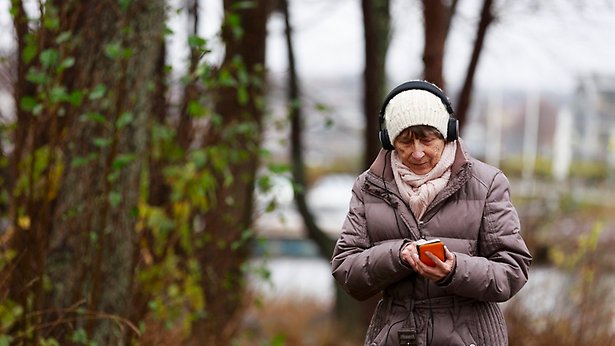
(410, 256)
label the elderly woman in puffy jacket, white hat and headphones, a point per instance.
(423, 185)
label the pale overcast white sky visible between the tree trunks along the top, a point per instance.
(544, 47)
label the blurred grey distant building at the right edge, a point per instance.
(594, 118)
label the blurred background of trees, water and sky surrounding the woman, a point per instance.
(177, 172)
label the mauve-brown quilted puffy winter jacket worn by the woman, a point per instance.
(474, 217)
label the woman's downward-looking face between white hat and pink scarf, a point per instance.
(419, 148)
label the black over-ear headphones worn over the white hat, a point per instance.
(453, 123)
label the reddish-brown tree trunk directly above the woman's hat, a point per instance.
(436, 22)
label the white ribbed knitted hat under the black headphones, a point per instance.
(415, 107)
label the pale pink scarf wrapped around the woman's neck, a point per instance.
(420, 190)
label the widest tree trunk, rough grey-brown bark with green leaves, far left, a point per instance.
(89, 139)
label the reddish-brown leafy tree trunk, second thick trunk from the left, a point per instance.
(240, 106)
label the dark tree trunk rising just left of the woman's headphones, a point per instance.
(376, 24)
